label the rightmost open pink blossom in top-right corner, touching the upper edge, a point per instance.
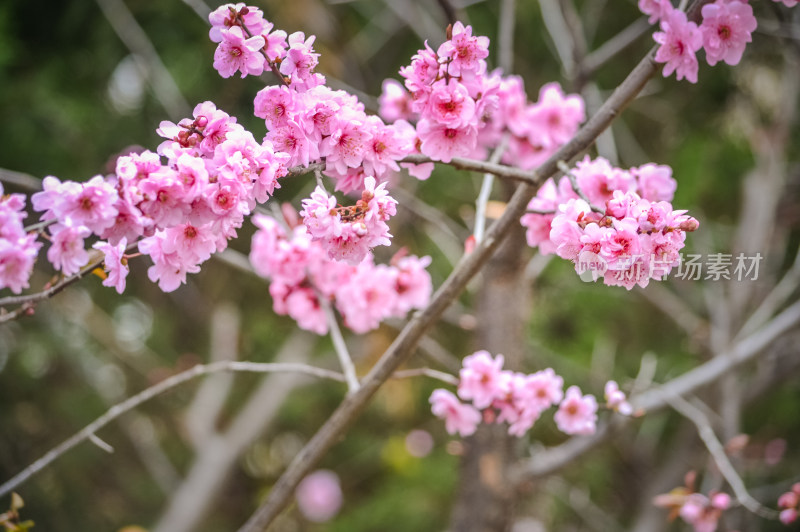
(727, 27)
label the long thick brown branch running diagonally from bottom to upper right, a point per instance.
(404, 345)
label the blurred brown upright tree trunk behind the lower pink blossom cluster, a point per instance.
(485, 499)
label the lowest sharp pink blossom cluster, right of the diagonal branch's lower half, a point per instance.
(498, 395)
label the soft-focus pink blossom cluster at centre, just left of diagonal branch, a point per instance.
(303, 277)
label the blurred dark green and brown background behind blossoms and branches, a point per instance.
(82, 81)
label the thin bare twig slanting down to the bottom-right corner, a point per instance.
(717, 451)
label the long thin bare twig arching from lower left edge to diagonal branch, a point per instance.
(155, 390)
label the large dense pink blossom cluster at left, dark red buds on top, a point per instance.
(181, 212)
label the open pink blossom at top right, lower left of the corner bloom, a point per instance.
(680, 39)
